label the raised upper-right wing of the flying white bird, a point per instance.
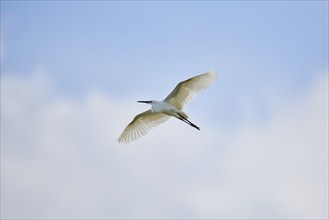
(186, 90)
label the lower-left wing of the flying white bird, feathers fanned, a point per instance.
(140, 125)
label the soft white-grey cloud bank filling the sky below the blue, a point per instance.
(60, 159)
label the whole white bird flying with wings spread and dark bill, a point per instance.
(172, 105)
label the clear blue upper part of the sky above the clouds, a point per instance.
(133, 39)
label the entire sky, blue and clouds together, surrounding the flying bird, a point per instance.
(65, 63)
